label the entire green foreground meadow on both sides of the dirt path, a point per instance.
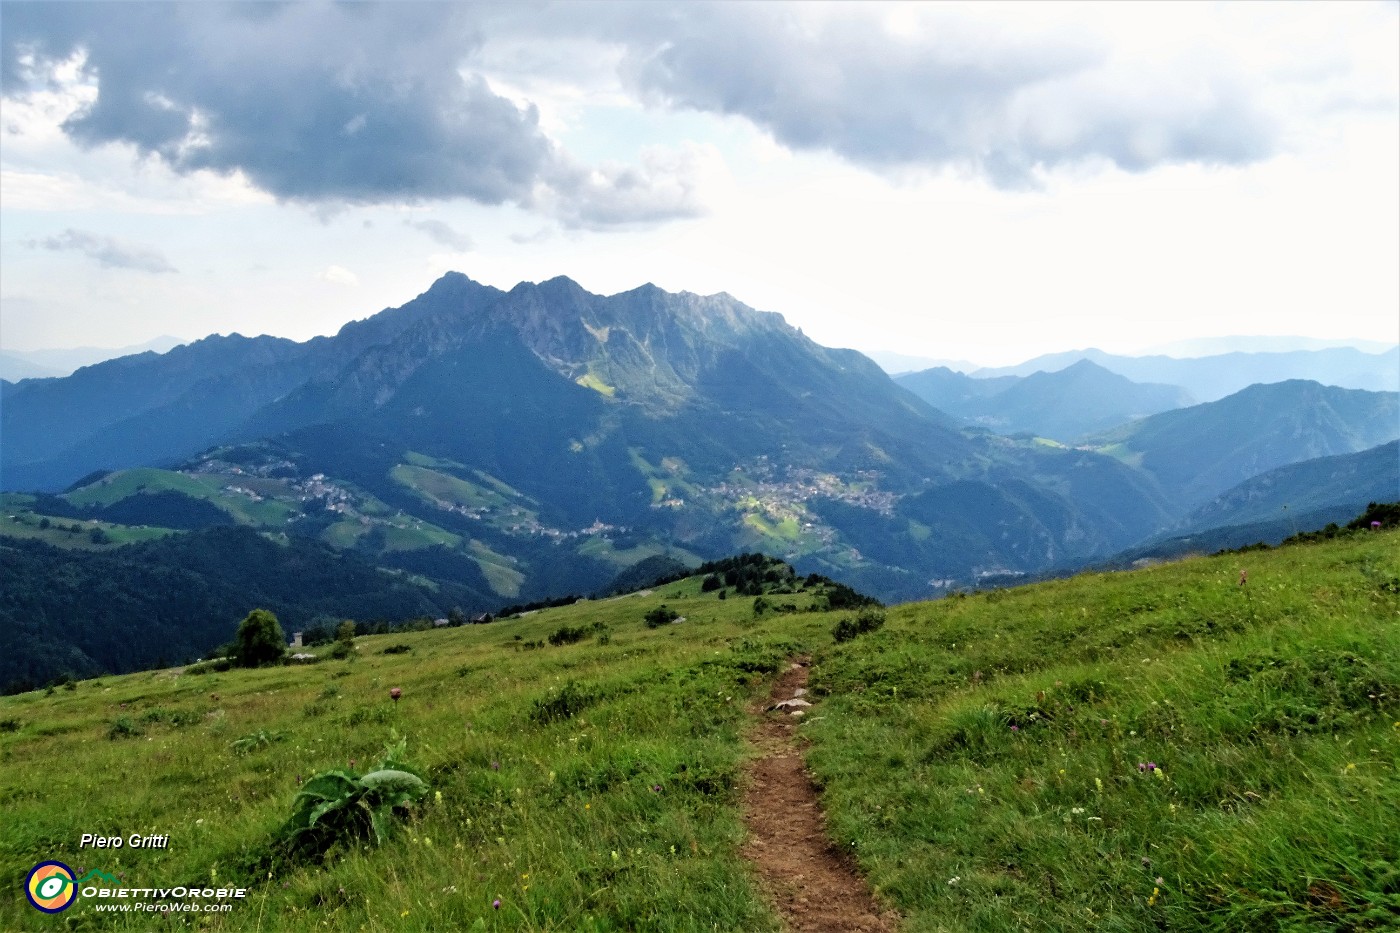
(1157, 750)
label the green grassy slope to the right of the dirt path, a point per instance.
(1270, 711)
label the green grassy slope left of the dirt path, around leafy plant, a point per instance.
(569, 831)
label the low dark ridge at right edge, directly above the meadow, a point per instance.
(1328, 488)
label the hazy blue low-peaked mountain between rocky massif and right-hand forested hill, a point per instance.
(1080, 400)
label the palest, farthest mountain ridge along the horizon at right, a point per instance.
(1214, 378)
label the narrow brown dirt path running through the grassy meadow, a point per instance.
(810, 880)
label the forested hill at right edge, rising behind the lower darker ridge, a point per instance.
(1199, 453)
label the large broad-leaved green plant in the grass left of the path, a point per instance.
(345, 808)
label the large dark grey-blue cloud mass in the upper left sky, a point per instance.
(318, 104)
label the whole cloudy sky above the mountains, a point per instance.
(955, 181)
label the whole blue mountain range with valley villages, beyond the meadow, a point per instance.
(526, 443)
